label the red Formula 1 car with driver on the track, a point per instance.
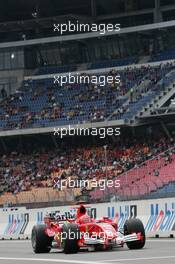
(71, 235)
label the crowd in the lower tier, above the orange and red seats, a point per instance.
(21, 171)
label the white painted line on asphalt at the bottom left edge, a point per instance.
(53, 260)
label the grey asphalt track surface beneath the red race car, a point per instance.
(156, 251)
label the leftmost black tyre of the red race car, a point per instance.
(41, 243)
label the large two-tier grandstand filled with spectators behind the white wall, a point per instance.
(32, 105)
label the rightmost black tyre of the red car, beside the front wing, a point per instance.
(135, 226)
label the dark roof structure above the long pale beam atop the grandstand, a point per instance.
(35, 18)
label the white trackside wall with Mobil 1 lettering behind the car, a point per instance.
(158, 216)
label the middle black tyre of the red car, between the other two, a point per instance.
(70, 237)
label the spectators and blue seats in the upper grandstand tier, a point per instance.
(38, 103)
